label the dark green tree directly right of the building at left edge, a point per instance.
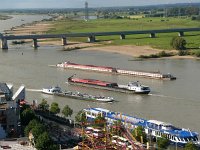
(26, 116)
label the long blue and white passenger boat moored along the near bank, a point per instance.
(178, 136)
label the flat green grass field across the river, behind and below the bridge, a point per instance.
(162, 41)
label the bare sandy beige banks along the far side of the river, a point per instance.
(42, 27)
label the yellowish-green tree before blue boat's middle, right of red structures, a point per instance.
(140, 134)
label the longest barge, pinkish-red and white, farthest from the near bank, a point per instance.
(112, 70)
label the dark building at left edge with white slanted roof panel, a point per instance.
(9, 110)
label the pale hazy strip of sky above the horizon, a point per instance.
(80, 3)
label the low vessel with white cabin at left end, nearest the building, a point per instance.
(76, 95)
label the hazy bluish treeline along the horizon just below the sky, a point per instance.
(185, 8)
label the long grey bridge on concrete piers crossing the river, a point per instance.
(90, 35)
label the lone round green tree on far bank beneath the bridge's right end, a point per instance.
(178, 43)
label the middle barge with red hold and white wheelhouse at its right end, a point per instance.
(132, 87)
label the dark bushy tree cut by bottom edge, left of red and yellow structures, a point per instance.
(44, 142)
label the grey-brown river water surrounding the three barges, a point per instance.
(176, 102)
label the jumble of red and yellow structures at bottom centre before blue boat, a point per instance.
(113, 137)
